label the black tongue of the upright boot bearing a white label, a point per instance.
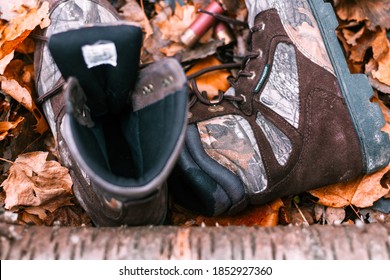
(104, 59)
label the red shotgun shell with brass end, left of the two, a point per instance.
(201, 24)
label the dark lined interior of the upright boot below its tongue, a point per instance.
(132, 148)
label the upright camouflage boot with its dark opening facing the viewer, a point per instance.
(119, 129)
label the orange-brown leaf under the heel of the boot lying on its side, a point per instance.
(361, 192)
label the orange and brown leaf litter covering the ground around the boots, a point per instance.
(36, 189)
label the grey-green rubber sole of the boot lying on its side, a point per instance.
(357, 91)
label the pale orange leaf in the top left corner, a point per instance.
(21, 23)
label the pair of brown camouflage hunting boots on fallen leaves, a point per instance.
(293, 120)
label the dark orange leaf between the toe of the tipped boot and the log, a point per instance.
(264, 215)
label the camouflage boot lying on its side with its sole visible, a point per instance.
(294, 119)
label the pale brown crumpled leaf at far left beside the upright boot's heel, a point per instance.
(37, 185)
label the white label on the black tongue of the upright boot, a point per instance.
(102, 52)
